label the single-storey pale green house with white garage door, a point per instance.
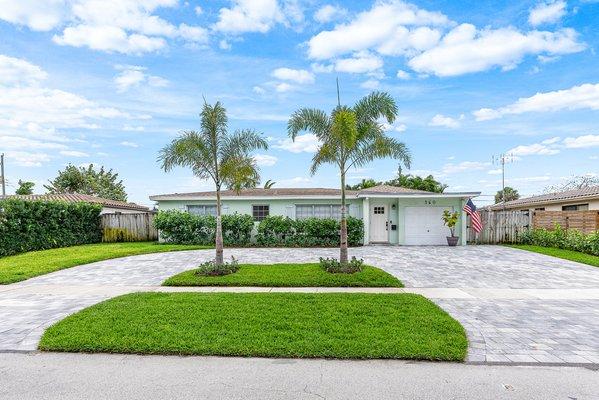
(391, 214)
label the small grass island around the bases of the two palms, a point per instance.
(287, 275)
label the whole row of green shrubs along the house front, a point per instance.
(184, 228)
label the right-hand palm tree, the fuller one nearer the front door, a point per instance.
(350, 137)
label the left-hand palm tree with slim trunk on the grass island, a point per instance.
(213, 153)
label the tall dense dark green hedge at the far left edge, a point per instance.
(40, 225)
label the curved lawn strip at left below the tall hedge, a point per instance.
(27, 265)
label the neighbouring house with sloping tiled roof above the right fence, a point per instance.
(571, 200)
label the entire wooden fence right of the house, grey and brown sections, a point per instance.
(506, 226)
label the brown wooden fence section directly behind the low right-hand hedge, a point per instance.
(584, 221)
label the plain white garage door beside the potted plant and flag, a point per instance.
(424, 226)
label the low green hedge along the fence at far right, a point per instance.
(563, 239)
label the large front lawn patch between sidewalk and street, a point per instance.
(331, 325)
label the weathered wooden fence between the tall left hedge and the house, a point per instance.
(128, 227)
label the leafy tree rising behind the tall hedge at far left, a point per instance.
(101, 183)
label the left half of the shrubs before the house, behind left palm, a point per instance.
(185, 228)
